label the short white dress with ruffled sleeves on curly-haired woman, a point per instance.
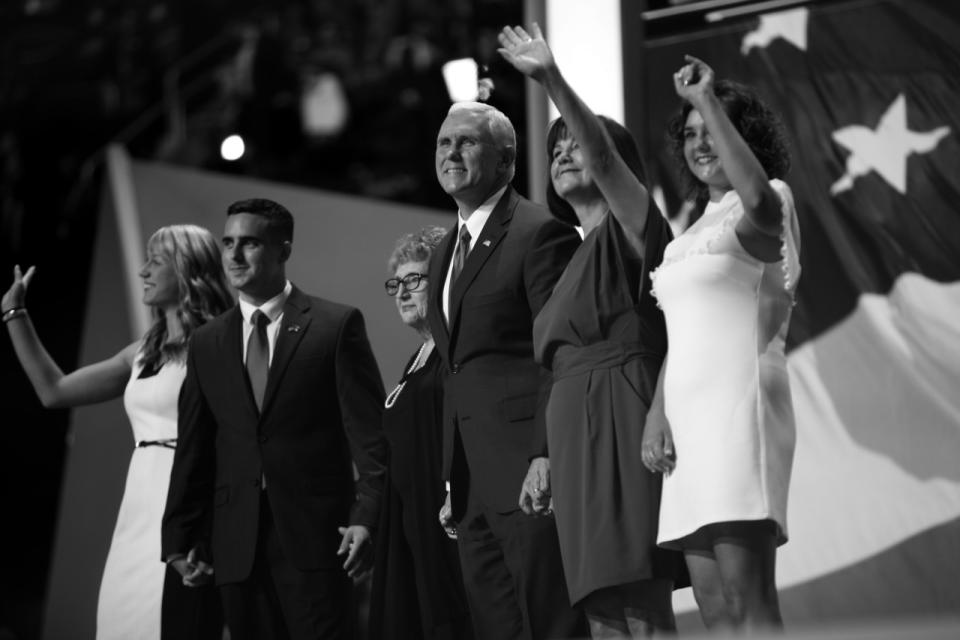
(726, 388)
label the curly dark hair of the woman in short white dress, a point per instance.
(760, 126)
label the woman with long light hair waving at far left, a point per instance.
(184, 285)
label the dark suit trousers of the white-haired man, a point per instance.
(513, 575)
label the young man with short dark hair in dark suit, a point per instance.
(282, 398)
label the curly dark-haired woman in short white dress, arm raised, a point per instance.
(721, 426)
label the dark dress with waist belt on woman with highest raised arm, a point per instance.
(604, 340)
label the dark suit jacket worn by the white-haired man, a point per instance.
(495, 394)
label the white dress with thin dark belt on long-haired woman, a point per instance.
(132, 587)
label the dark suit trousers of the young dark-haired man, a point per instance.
(280, 602)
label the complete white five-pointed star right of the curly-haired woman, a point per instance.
(884, 149)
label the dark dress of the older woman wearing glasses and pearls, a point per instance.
(417, 589)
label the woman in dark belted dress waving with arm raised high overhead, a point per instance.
(604, 340)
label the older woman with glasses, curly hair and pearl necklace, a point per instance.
(417, 584)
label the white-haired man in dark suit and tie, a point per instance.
(490, 276)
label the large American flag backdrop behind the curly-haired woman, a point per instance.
(870, 94)
